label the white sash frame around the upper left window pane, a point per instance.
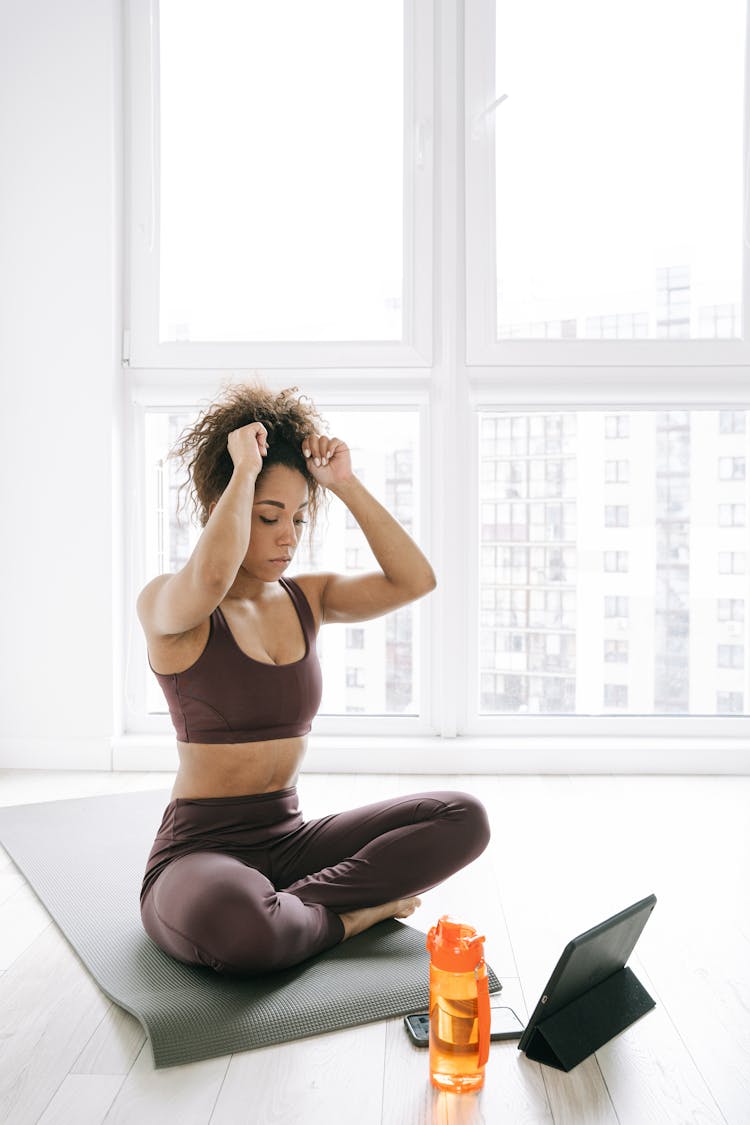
(141, 345)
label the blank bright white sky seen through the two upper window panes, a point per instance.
(619, 151)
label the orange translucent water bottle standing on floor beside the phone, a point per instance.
(459, 1006)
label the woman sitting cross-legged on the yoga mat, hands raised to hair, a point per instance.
(237, 879)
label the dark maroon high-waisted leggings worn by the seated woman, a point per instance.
(245, 885)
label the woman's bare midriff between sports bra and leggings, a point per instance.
(238, 769)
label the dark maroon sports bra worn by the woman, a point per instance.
(228, 697)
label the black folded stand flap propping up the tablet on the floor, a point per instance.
(588, 1023)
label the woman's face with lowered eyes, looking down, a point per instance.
(278, 520)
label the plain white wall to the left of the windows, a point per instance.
(60, 300)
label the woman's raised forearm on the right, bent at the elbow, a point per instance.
(400, 559)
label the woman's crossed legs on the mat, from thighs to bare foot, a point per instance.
(314, 887)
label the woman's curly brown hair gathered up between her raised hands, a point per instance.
(203, 448)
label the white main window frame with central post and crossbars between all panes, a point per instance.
(451, 381)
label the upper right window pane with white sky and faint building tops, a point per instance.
(620, 169)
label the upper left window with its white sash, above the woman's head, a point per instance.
(250, 228)
